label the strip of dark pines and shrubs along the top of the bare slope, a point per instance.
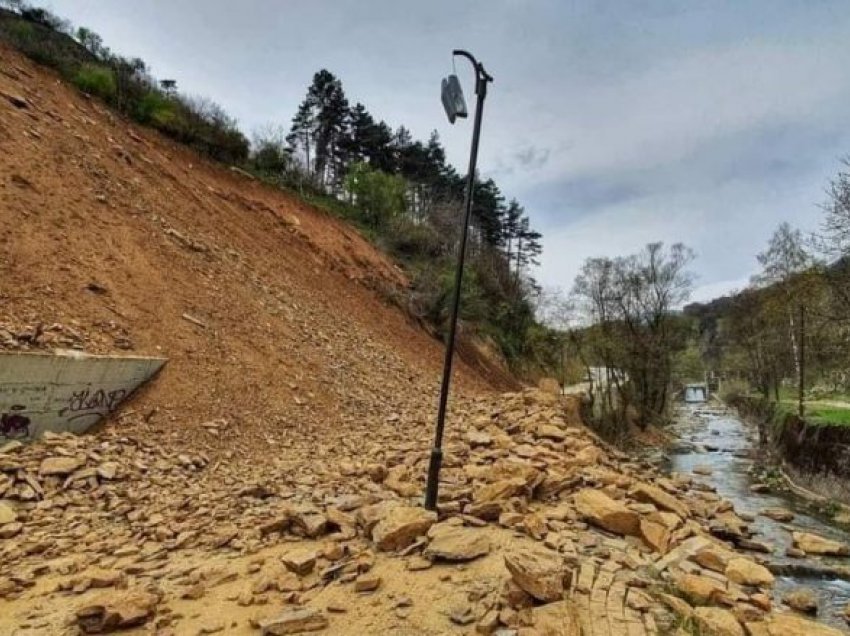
(399, 191)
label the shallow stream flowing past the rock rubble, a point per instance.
(714, 437)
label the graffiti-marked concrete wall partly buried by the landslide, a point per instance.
(65, 390)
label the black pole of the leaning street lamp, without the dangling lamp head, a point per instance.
(481, 79)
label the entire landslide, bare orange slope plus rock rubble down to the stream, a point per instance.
(270, 480)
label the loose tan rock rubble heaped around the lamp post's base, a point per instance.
(568, 520)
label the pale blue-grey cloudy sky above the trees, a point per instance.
(614, 122)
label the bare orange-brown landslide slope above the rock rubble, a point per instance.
(273, 315)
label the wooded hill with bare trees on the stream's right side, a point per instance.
(791, 325)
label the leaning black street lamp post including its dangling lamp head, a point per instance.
(455, 105)
